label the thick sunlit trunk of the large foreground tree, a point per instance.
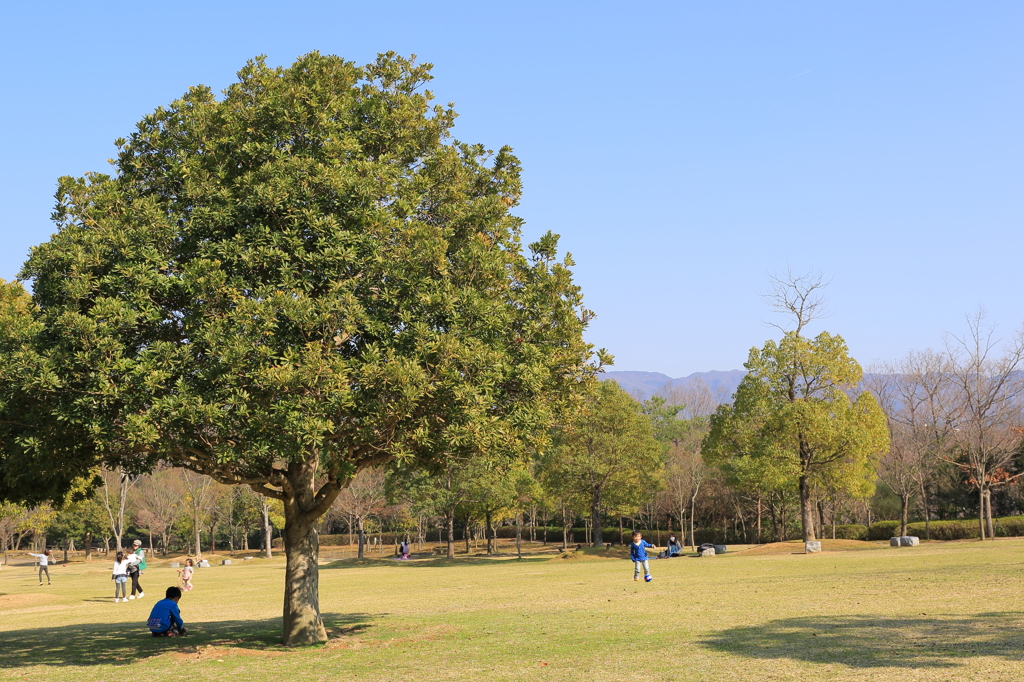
(303, 620)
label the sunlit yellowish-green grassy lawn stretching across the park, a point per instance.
(941, 612)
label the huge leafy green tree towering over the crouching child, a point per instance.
(284, 286)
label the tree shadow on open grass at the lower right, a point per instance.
(878, 643)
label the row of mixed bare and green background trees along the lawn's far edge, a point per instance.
(953, 418)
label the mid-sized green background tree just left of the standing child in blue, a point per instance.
(606, 455)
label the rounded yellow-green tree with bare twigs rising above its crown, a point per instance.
(793, 419)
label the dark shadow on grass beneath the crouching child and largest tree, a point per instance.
(122, 644)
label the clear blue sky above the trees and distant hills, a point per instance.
(684, 150)
